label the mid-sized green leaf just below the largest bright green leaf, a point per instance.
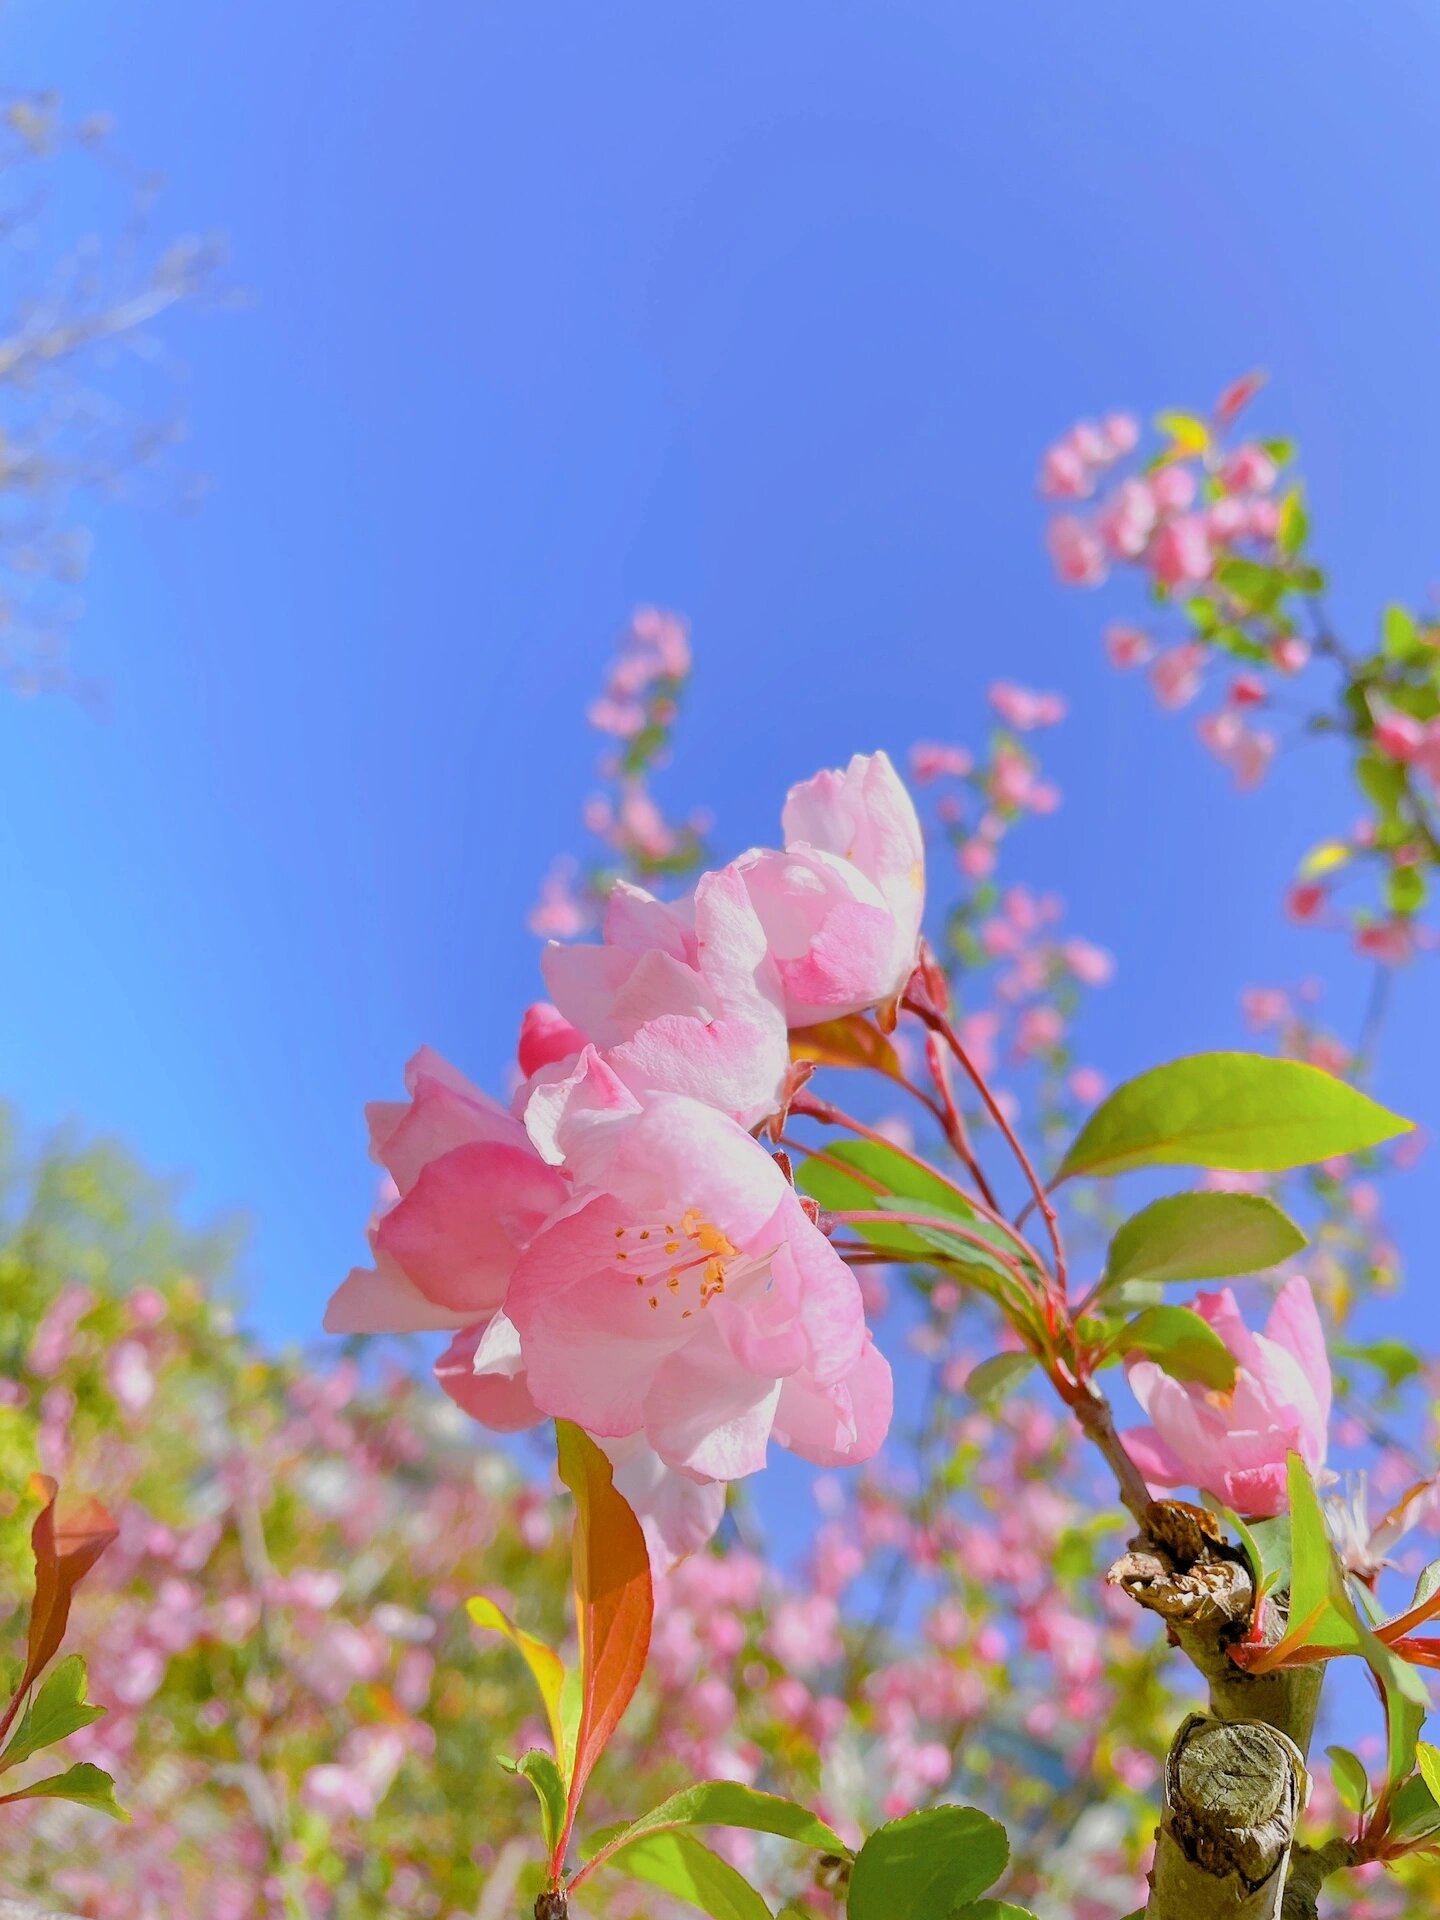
(1203, 1237)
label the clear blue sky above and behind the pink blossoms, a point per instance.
(761, 312)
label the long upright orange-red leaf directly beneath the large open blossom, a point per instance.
(615, 1604)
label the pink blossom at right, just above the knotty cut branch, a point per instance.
(1234, 1445)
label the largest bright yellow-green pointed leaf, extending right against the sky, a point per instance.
(1228, 1111)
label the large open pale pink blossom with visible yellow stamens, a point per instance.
(684, 1295)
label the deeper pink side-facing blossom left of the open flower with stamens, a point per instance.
(471, 1193)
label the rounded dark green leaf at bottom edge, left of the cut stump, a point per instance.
(926, 1865)
